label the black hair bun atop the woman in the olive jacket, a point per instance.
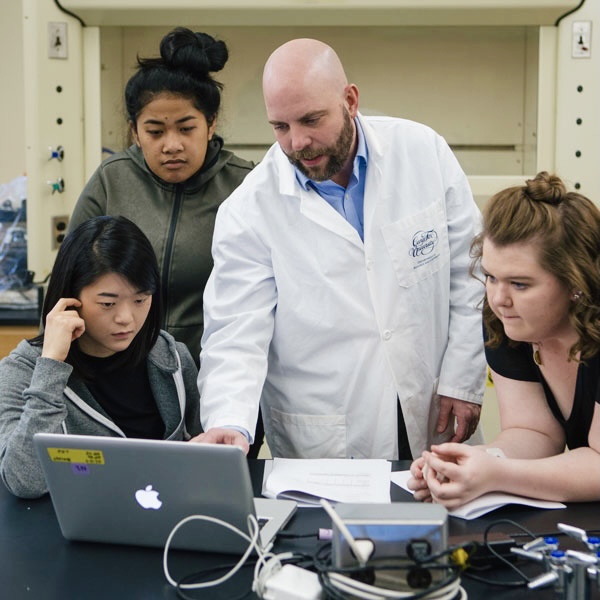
(197, 52)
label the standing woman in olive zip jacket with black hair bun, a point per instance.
(171, 181)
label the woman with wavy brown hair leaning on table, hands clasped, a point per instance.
(539, 252)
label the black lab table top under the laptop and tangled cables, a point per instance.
(37, 562)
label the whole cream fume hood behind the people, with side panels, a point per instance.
(503, 93)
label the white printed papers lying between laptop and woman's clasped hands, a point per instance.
(337, 480)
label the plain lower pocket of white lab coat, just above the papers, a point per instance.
(307, 436)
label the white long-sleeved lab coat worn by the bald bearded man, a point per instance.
(327, 331)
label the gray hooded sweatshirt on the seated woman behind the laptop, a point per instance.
(42, 394)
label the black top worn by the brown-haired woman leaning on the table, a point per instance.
(516, 362)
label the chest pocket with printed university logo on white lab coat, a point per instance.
(418, 245)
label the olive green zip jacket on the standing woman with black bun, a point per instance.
(177, 218)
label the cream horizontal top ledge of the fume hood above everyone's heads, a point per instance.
(319, 12)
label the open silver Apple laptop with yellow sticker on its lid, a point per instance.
(131, 491)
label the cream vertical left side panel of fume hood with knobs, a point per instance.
(54, 116)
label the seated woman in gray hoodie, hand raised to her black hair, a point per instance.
(102, 365)
